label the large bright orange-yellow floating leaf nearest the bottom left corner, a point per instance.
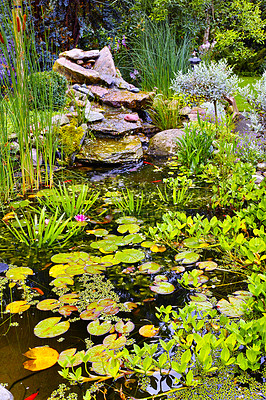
(42, 357)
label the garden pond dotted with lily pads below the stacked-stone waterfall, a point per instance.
(103, 287)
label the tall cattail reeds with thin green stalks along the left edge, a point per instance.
(33, 131)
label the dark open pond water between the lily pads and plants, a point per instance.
(129, 285)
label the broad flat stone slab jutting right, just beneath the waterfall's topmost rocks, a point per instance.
(119, 98)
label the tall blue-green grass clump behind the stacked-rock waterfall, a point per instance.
(157, 53)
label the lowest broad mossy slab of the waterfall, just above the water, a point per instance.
(111, 150)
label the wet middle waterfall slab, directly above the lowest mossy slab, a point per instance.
(115, 125)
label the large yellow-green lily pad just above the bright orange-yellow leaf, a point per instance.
(51, 327)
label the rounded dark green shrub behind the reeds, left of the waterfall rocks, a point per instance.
(47, 90)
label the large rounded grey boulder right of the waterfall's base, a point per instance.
(164, 143)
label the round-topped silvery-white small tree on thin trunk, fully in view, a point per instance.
(214, 82)
